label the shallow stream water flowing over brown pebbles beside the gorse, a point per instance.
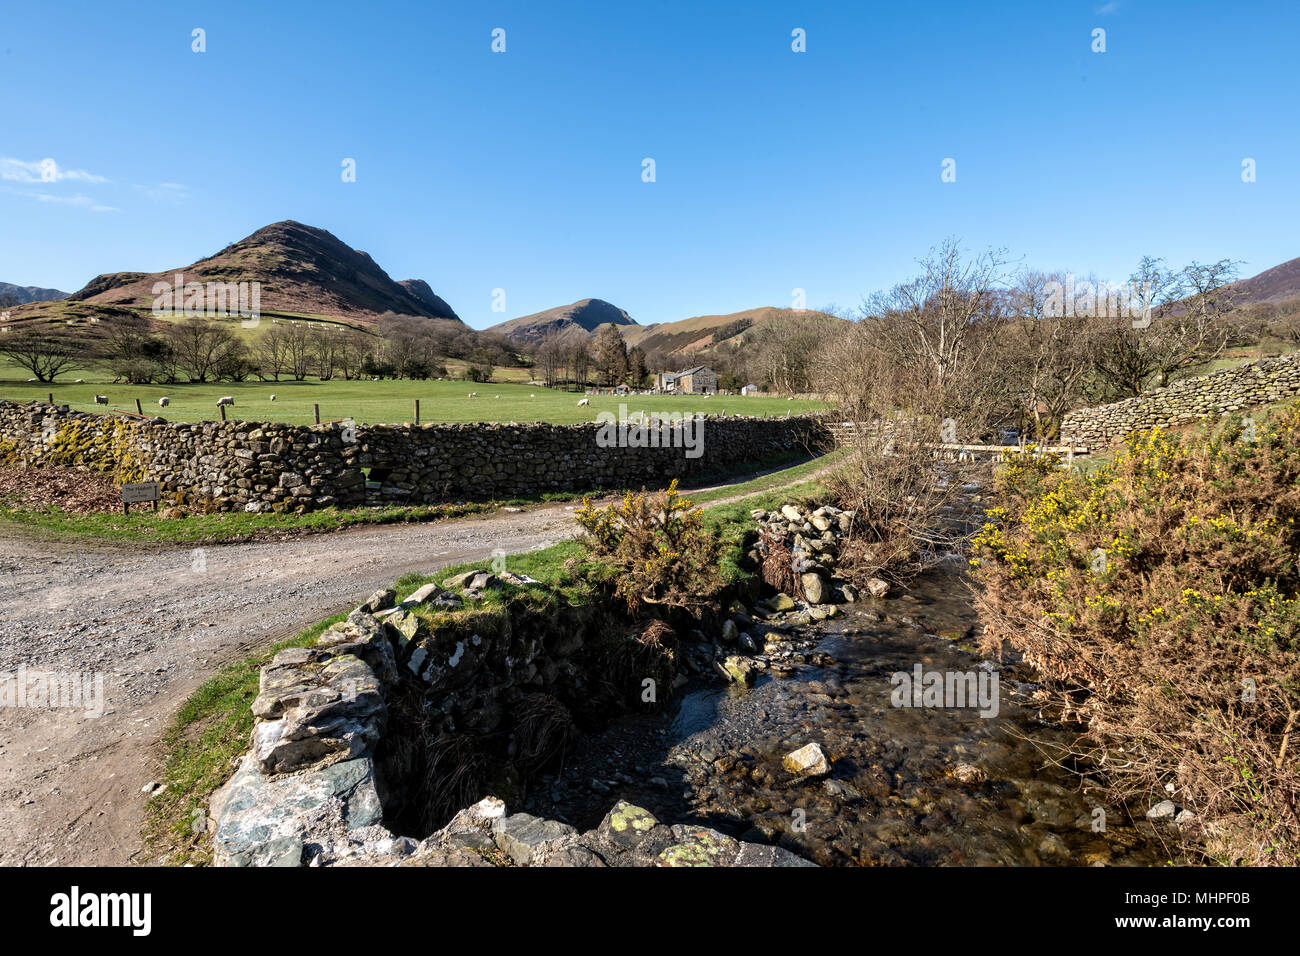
(892, 797)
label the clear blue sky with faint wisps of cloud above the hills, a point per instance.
(775, 171)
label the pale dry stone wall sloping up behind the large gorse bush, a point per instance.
(1220, 393)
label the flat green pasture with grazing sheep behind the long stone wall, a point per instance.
(376, 401)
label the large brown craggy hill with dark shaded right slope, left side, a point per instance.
(302, 270)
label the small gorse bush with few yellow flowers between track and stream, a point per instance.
(657, 548)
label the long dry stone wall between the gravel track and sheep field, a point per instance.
(263, 466)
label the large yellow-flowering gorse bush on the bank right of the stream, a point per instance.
(1160, 600)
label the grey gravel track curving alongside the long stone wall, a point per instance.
(154, 624)
